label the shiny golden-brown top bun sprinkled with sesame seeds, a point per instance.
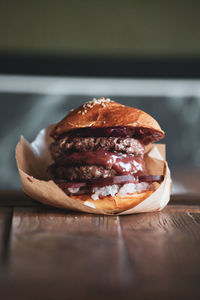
(106, 113)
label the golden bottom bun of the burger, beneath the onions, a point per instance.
(114, 204)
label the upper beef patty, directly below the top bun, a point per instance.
(82, 144)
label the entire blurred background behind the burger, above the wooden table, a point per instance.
(54, 55)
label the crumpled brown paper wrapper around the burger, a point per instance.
(33, 160)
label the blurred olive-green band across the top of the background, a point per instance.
(130, 28)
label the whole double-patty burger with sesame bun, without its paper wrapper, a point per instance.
(98, 152)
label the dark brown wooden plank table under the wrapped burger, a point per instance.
(47, 253)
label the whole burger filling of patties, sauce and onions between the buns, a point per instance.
(100, 165)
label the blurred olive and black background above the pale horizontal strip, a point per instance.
(131, 38)
